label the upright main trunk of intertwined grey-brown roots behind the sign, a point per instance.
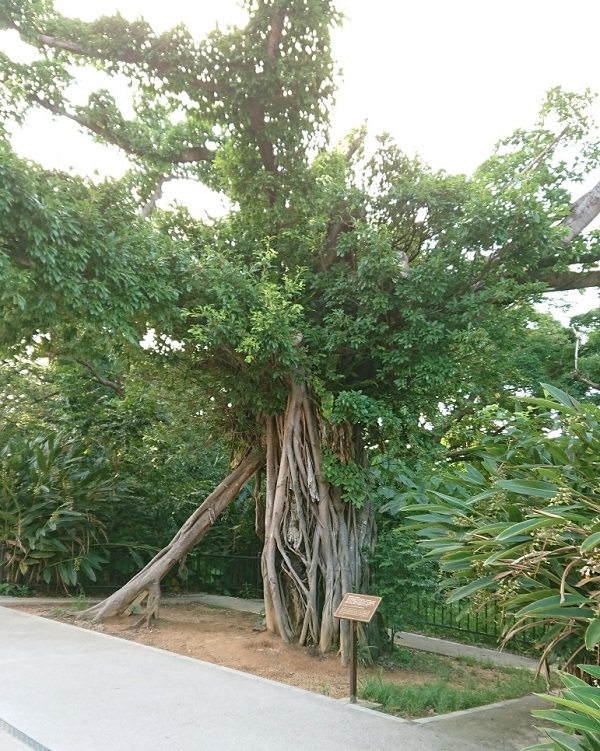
(315, 543)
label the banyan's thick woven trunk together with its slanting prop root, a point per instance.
(315, 544)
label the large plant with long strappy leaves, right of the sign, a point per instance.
(518, 521)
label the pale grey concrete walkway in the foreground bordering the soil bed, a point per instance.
(63, 688)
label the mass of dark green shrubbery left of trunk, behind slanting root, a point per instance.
(142, 446)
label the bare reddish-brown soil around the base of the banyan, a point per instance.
(238, 640)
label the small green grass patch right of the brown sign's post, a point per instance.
(452, 685)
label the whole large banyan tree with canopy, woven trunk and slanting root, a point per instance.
(347, 292)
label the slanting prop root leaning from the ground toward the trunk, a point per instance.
(145, 586)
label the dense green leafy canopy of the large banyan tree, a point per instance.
(389, 286)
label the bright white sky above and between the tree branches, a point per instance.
(447, 78)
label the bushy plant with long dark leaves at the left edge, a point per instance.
(55, 504)
